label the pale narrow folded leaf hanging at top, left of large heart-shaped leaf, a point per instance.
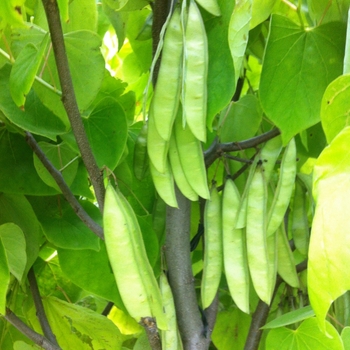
(239, 32)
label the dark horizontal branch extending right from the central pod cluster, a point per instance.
(216, 149)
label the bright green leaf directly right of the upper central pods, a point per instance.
(221, 72)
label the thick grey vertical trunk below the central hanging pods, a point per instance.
(180, 275)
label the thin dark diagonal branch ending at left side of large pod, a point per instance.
(57, 176)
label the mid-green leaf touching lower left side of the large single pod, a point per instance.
(94, 274)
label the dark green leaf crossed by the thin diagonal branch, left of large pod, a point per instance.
(61, 224)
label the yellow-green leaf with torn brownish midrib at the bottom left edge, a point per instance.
(77, 327)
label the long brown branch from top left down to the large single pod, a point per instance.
(69, 99)
